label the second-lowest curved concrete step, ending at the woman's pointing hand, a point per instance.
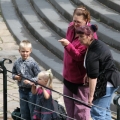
(38, 28)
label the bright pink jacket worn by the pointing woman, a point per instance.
(74, 53)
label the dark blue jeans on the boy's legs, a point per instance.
(24, 107)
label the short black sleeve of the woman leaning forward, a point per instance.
(92, 65)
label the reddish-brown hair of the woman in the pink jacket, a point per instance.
(81, 10)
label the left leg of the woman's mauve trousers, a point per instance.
(69, 104)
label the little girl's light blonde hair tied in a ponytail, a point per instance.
(47, 75)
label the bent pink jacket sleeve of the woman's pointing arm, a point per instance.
(76, 53)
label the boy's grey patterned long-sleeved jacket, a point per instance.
(26, 68)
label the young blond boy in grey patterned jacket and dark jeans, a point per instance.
(25, 67)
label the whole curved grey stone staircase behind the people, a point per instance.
(44, 22)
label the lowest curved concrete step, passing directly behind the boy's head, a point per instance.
(43, 56)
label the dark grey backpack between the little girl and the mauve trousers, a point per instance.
(60, 109)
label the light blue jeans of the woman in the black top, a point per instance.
(104, 102)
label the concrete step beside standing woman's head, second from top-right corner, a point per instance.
(102, 13)
